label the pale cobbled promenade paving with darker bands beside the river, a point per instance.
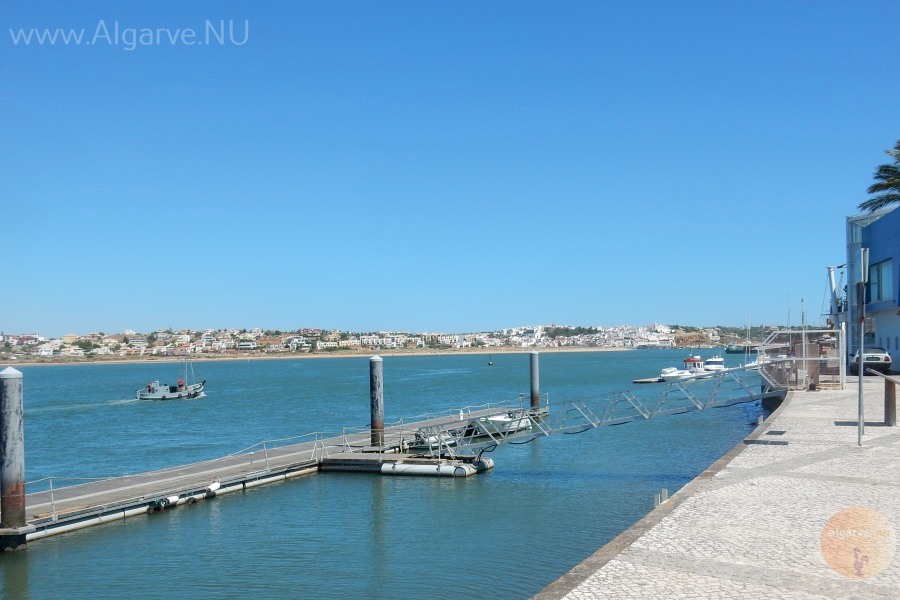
(798, 510)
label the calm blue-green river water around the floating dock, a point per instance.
(508, 533)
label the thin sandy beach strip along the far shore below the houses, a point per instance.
(59, 361)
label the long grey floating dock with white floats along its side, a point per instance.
(64, 509)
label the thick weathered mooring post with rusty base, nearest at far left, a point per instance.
(13, 526)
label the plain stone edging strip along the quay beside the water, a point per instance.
(575, 577)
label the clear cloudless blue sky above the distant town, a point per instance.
(436, 166)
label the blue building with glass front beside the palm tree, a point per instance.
(880, 233)
